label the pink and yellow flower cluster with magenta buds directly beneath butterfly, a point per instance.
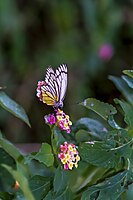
(60, 119)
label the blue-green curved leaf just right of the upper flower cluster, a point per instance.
(96, 130)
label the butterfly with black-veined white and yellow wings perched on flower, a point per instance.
(54, 86)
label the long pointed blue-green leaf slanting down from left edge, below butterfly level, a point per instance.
(7, 103)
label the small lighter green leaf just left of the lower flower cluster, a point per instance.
(45, 155)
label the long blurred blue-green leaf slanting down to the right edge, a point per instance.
(123, 87)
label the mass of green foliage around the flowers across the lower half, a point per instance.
(105, 149)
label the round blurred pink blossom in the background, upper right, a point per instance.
(106, 51)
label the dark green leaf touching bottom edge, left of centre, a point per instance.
(39, 186)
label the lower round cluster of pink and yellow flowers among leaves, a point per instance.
(69, 156)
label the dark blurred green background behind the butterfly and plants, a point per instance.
(95, 39)
